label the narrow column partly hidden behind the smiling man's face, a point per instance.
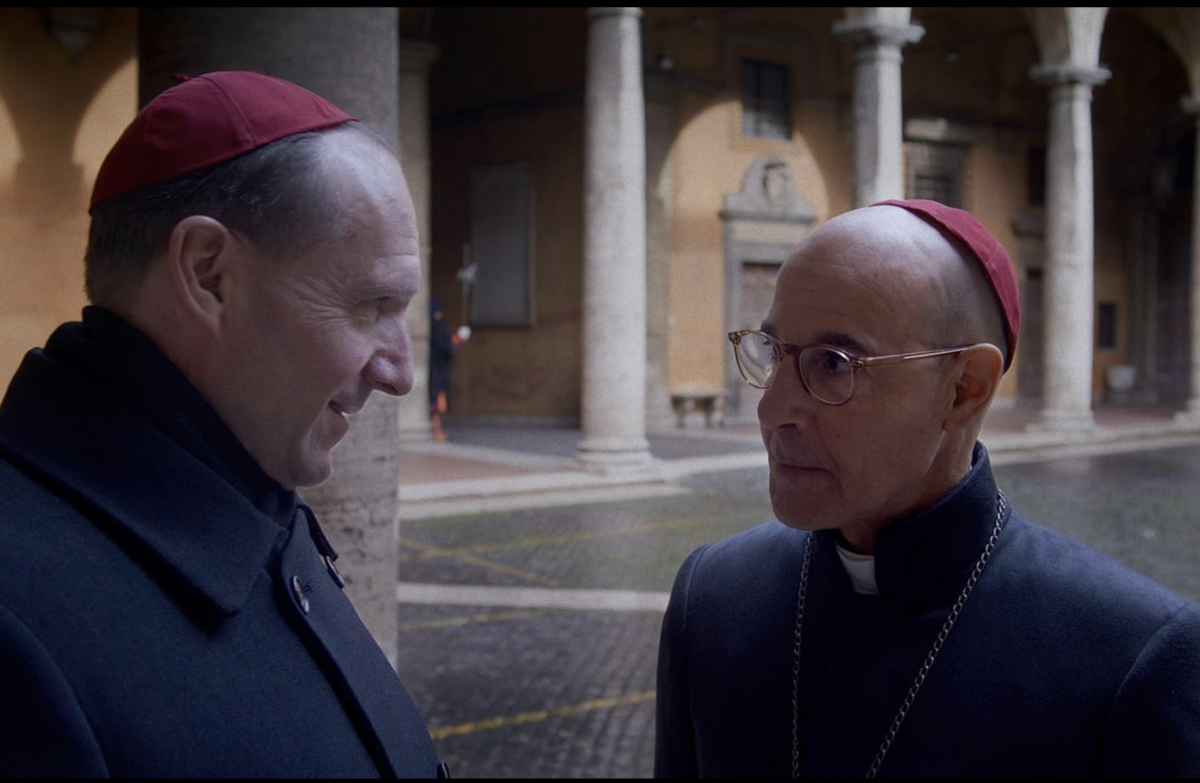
(416, 59)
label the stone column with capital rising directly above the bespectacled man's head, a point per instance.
(878, 35)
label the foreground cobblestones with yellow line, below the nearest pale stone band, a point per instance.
(536, 694)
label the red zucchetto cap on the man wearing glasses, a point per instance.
(998, 267)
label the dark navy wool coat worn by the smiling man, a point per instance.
(165, 608)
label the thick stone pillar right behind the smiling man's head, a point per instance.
(349, 56)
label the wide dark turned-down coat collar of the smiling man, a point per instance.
(103, 416)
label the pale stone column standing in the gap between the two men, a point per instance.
(614, 397)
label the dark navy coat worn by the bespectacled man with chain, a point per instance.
(1063, 664)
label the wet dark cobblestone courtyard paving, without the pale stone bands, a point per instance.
(571, 694)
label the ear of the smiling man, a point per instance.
(201, 254)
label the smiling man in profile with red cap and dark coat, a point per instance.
(169, 606)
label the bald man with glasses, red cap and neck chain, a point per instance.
(901, 619)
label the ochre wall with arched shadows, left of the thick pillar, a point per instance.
(49, 92)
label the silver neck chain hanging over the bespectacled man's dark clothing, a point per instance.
(925, 668)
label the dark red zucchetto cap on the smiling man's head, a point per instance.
(207, 121)
